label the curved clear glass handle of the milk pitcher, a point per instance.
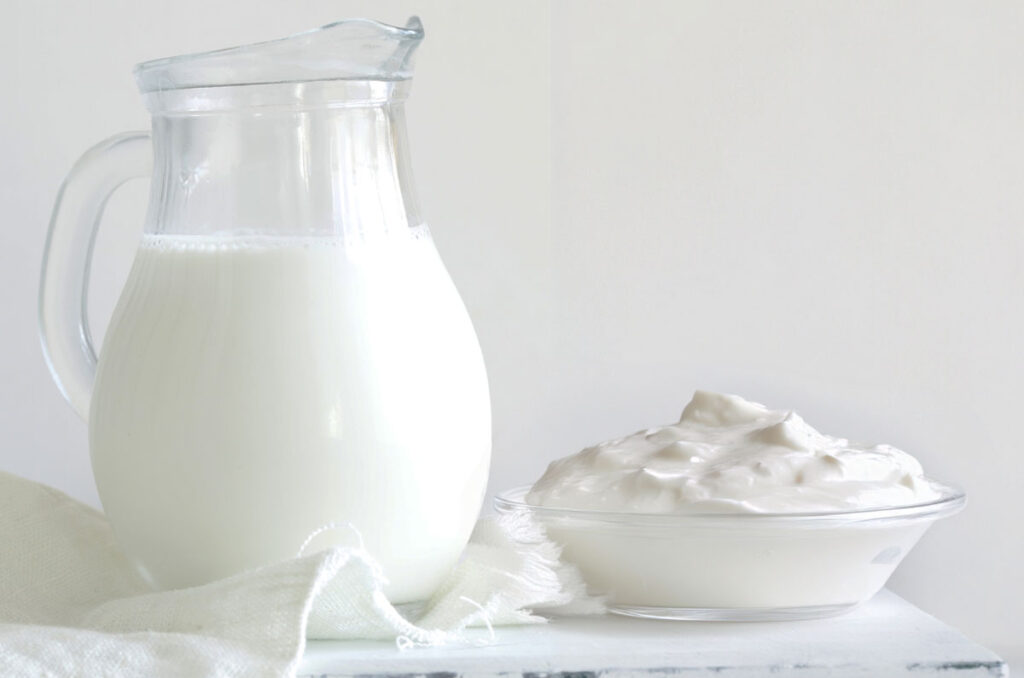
(63, 290)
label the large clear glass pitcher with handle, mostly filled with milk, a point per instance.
(289, 352)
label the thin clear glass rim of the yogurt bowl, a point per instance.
(952, 501)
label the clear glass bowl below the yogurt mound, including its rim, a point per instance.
(737, 567)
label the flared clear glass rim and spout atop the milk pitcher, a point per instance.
(350, 50)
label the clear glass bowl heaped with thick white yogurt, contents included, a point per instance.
(736, 513)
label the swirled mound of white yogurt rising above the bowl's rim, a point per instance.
(730, 455)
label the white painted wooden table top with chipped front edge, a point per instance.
(885, 638)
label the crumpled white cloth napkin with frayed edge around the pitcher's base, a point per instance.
(71, 605)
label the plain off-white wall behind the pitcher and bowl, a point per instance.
(816, 205)
